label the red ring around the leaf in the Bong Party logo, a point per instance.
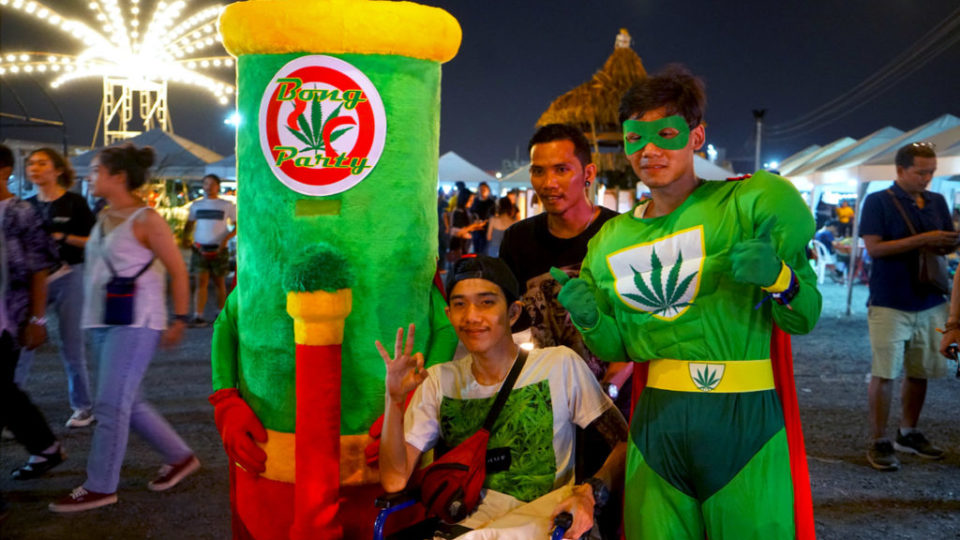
(365, 126)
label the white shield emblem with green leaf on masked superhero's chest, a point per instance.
(661, 277)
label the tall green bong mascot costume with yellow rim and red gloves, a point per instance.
(337, 168)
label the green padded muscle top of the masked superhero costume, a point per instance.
(715, 318)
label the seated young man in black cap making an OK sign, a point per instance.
(534, 432)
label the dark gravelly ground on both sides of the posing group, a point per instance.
(852, 501)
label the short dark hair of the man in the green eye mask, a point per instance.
(674, 88)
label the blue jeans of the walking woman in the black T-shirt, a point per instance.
(65, 298)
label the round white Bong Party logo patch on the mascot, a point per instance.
(322, 125)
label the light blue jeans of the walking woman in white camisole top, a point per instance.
(123, 354)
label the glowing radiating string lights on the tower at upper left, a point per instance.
(127, 57)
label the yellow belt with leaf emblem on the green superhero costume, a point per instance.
(713, 376)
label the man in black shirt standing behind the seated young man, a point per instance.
(560, 172)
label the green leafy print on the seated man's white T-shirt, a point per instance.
(525, 426)
